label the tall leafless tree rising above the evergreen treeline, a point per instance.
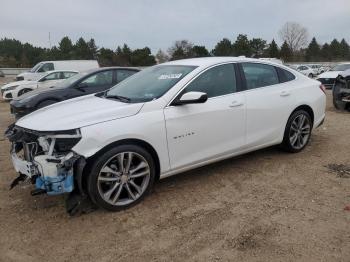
(295, 35)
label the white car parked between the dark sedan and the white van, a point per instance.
(50, 79)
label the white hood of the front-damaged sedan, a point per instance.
(76, 113)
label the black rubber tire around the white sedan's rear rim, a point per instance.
(287, 144)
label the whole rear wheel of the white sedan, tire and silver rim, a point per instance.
(298, 131)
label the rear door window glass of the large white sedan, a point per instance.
(259, 75)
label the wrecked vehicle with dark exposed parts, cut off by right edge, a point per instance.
(341, 91)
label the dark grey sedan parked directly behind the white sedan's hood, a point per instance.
(84, 83)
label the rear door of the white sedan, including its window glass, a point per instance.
(269, 102)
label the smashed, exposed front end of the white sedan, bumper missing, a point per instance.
(45, 158)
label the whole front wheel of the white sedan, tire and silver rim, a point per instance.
(121, 177)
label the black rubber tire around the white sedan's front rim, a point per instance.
(94, 187)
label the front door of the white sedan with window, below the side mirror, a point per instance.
(200, 132)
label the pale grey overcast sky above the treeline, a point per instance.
(158, 23)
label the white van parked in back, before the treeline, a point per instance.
(39, 69)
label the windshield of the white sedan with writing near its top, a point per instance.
(150, 83)
